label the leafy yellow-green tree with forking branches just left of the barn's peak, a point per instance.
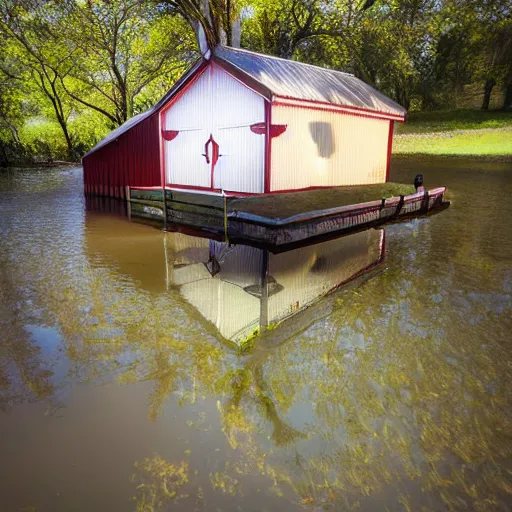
(121, 48)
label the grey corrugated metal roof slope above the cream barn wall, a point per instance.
(297, 80)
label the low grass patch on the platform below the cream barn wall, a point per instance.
(280, 206)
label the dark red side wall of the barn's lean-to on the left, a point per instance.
(133, 159)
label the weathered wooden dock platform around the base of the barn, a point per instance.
(276, 222)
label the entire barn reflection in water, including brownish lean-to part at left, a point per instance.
(237, 288)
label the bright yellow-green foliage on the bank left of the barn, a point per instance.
(88, 66)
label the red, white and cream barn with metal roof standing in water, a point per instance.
(243, 122)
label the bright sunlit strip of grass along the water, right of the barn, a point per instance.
(458, 143)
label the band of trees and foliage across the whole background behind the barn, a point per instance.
(72, 70)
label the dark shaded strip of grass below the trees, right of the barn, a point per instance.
(450, 120)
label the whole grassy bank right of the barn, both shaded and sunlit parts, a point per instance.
(456, 133)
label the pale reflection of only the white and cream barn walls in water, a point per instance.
(241, 288)
